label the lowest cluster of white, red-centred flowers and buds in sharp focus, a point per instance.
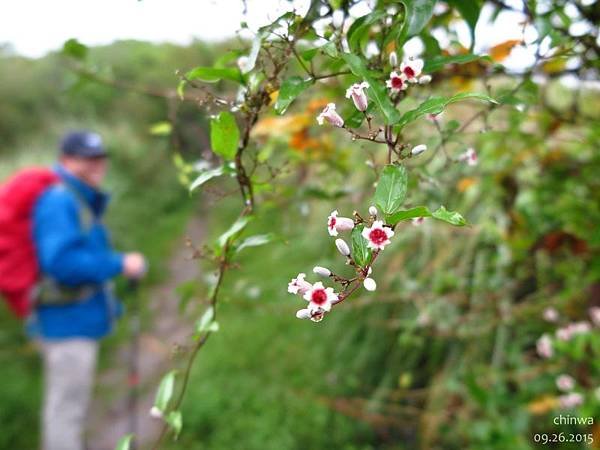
(321, 299)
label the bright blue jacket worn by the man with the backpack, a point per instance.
(75, 254)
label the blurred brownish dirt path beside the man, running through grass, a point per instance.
(110, 418)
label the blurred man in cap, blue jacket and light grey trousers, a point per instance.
(75, 306)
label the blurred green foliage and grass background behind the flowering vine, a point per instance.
(443, 355)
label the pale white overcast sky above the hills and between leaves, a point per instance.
(34, 27)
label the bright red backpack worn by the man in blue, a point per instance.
(19, 269)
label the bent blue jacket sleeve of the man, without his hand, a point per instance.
(62, 249)
